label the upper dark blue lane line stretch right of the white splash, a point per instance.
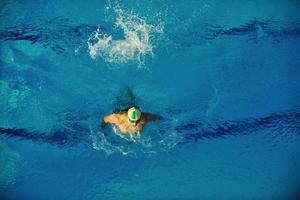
(253, 30)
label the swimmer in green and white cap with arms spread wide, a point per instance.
(131, 120)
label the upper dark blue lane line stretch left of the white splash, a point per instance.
(54, 34)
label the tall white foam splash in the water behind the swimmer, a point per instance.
(136, 44)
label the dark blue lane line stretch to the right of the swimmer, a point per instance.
(287, 122)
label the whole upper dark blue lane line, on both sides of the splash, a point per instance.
(56, 33)
